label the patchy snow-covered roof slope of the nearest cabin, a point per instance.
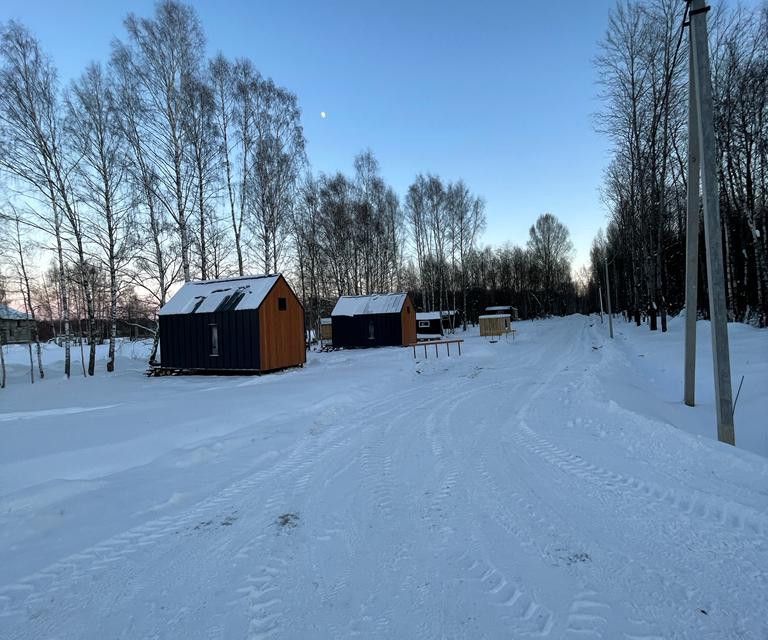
(230, 294)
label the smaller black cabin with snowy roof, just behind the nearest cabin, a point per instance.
(380, 320)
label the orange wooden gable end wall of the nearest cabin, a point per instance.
(281, 333)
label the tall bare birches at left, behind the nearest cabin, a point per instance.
(119, 176)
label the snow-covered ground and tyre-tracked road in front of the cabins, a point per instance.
(512, 492)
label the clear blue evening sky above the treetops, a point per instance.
(500, 93)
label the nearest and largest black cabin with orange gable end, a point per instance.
(250, 324)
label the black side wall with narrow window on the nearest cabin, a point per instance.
(185, 340)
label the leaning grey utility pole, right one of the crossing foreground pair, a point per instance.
(702, 85)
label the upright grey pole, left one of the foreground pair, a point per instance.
(692, 235)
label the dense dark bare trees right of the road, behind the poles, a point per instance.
(643, 66)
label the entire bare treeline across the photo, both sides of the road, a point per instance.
(160, 165)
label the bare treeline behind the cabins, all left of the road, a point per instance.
(159, 165)
